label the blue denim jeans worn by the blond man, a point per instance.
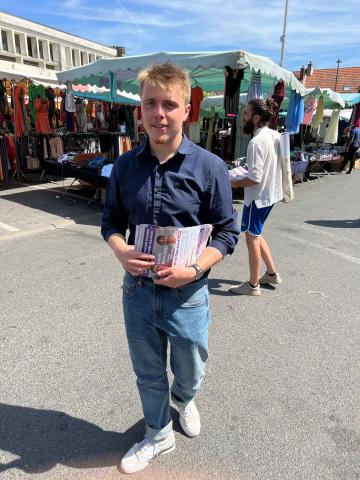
(155, 315)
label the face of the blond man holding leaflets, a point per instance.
(163, 113)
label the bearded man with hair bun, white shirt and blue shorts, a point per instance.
(263, 188)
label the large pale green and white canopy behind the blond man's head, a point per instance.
(206, 70)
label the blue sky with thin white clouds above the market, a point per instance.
(318, 30)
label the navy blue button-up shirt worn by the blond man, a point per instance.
(192, 188)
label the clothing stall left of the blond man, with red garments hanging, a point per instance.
(47, 128)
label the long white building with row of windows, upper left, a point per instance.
(32, 50)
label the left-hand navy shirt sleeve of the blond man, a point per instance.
(115, 217)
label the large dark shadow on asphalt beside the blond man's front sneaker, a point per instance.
(44, 438)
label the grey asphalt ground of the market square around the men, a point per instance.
(281, 396)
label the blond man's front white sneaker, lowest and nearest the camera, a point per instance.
(141, 454)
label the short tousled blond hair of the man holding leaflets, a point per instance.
(166, 76)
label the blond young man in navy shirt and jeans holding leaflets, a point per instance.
(167, 181)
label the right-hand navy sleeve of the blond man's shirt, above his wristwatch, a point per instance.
(220, 212)
